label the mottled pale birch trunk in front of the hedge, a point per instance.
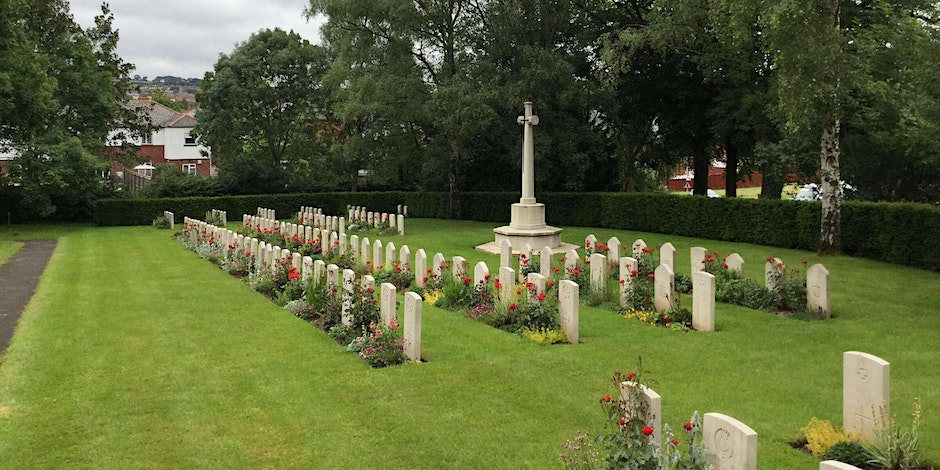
(830, 221)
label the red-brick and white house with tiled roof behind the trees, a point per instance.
(169, 143)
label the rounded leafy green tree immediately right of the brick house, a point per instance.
(258, 102)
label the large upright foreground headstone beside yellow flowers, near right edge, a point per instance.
(866, 388)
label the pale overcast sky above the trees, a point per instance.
(185, 37)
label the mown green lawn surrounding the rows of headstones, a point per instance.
(136, 353)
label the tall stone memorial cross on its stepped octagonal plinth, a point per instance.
(527, 224)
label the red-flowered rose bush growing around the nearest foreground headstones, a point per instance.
(627, 440)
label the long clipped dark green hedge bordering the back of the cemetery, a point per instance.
(898, 233)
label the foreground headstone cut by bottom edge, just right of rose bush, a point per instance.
(729, 444)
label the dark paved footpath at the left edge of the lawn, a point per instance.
(18, 279)
